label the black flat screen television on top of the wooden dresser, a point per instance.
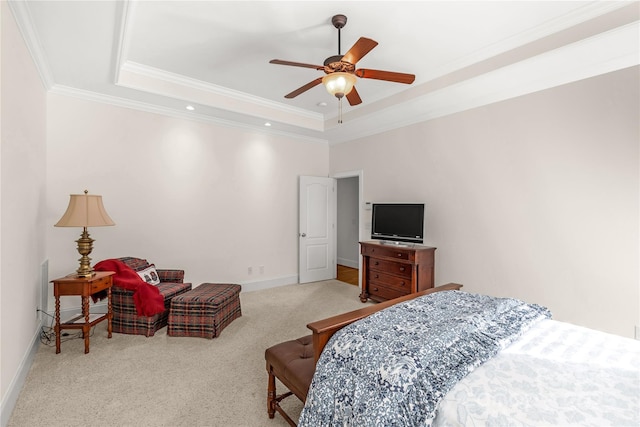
(398, 222)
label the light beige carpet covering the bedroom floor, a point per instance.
(132, 380)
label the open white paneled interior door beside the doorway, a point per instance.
(317, 229)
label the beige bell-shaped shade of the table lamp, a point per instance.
(85, 210)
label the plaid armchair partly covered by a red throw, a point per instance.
(125, 318)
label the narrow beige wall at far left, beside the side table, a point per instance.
(22, 197)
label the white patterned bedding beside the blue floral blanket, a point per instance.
(557, 374)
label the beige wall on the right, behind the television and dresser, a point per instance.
(535, 197)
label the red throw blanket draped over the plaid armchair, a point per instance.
(146, 297)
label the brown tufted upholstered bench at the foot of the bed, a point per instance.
(293, 363)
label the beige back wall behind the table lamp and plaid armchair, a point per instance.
(209, 199)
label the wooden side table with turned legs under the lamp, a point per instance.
(84, 287)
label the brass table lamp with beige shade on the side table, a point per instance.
(85, 210)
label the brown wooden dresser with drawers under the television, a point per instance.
(390, 271)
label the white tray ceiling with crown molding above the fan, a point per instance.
(163, 55)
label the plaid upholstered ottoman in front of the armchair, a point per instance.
(204, 311)
